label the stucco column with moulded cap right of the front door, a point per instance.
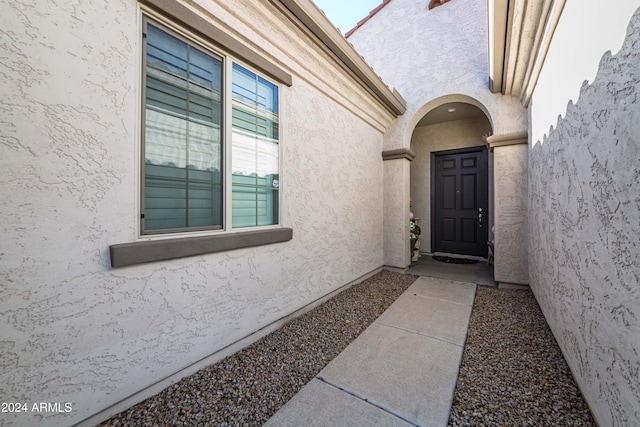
(510, 210)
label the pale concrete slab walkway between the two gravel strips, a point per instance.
(401, 371)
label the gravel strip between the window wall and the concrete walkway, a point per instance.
(247, 388)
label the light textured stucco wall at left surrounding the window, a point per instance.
(72, 329)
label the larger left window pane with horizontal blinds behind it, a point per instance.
(183, 135)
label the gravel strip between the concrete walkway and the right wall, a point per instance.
(512, 372)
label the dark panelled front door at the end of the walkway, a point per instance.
(459, 203)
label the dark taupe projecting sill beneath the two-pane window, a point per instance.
(124, 254)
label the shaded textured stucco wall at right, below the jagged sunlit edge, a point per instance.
(584, 249)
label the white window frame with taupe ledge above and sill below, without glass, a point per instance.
(167, 246)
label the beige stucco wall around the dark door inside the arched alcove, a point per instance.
(438, 137)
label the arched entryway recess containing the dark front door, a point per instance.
(451, 177)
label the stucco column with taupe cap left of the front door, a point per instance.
(396, 207)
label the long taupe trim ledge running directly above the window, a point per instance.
(190, 19)
